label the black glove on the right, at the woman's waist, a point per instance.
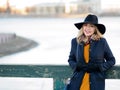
(92, 67)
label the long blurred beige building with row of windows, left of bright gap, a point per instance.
(47, 9)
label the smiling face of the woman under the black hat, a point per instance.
(88, 29)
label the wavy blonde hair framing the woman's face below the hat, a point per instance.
(82, 38)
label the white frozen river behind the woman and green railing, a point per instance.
(54, 37)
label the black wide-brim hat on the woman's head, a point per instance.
(93, 20)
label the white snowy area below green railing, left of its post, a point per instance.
(17, 83)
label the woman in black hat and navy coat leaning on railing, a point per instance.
(90, 56)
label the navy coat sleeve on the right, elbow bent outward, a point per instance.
(109, 58)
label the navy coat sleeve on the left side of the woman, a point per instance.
(72, 56)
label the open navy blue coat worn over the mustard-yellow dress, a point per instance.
(100, 53)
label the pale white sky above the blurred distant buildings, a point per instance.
(22, 3)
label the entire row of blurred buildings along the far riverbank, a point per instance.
(64, 7)
